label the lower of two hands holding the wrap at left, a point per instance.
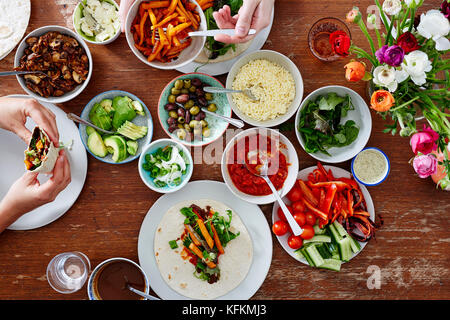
(27, 193)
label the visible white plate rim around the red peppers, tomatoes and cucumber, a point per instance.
(338, 173)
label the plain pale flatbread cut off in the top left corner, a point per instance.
(14, 18)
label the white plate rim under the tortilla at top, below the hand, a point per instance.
(215, 69)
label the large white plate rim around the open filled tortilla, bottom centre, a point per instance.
(251, 216)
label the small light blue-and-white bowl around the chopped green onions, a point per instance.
(152, 147)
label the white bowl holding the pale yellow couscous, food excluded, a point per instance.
(281, 60)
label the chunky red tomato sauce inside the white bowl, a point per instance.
(244, 156)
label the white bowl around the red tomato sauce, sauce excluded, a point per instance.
(288, 151)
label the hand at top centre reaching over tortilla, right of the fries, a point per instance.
(253, 14)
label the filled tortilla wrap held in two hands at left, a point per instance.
(41, 154)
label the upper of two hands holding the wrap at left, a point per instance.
(14, 113)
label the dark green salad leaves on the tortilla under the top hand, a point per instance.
(215, 47)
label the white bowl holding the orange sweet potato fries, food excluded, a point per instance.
(186, 56)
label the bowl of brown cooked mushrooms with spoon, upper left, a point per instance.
(61, 62)
